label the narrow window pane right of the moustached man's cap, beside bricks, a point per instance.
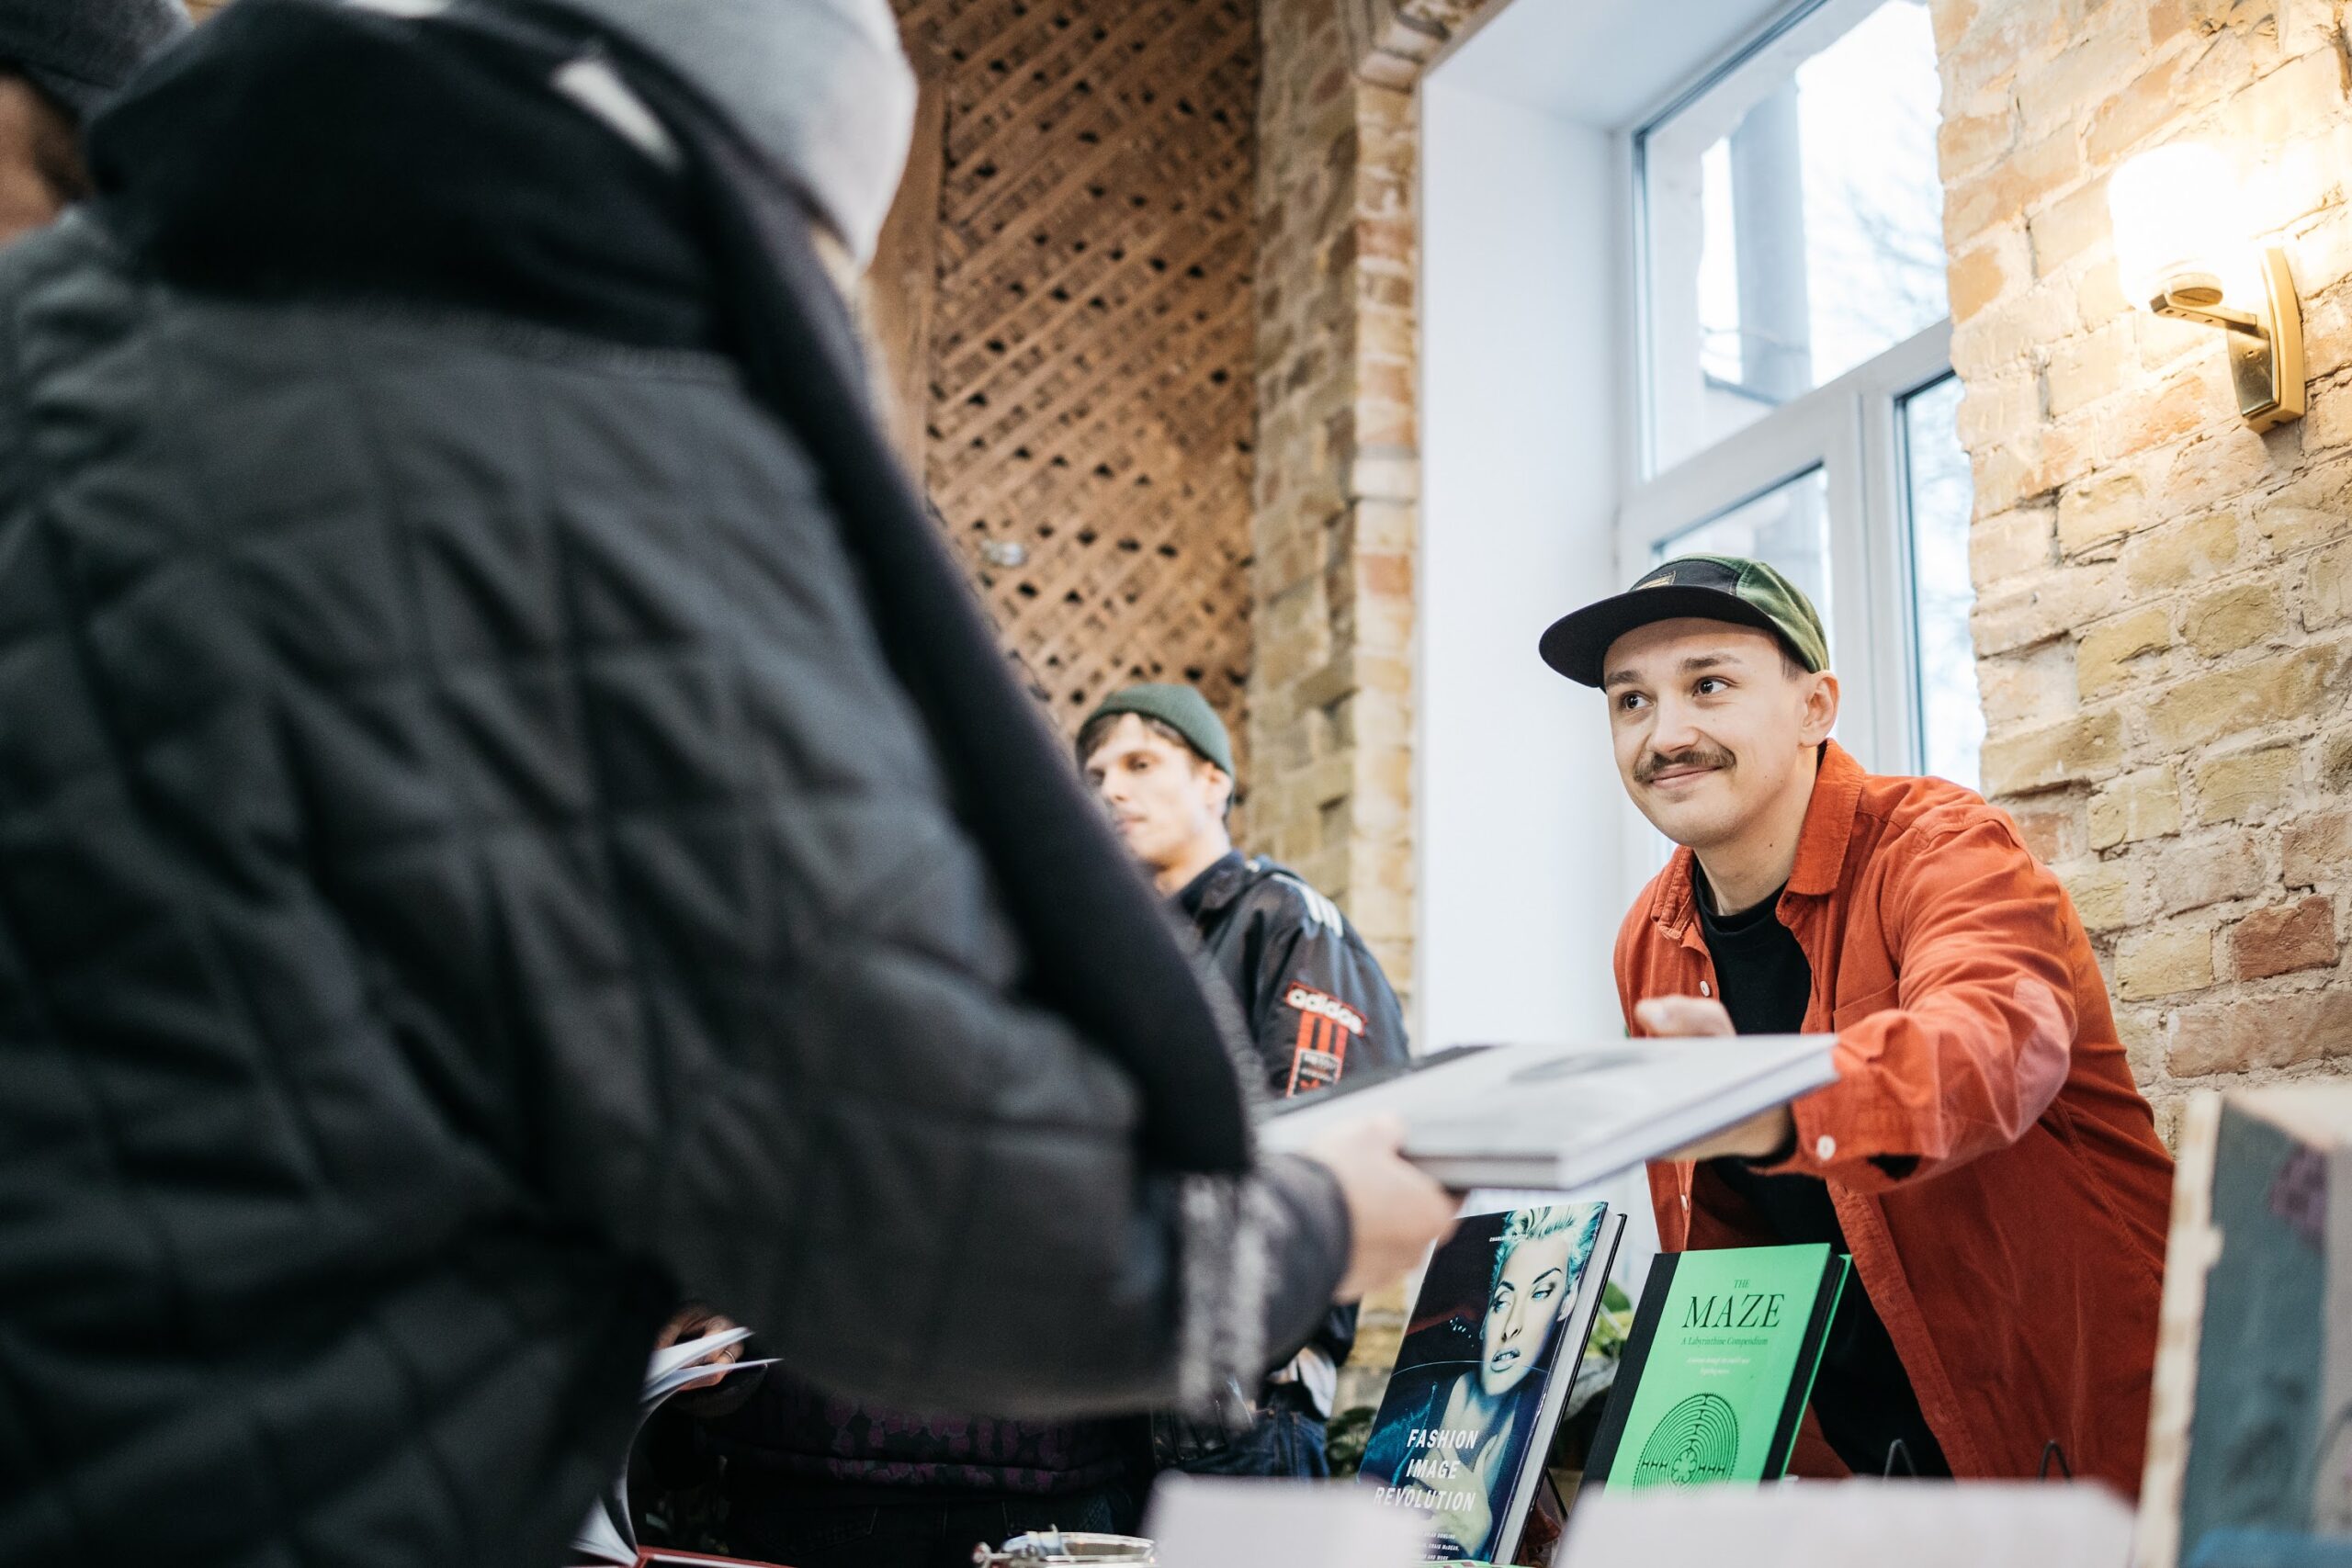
(1942, 497)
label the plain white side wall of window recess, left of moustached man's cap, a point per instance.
(1521, 445)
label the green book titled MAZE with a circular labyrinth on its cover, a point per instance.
(1718, 1367)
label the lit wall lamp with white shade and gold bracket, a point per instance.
(2181, 248)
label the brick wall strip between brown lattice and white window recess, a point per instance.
(1339, 481)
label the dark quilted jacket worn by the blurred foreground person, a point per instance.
(469, 876)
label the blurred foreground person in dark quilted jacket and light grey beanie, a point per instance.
(512, 819)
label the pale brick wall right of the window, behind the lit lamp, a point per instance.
(2165, 617)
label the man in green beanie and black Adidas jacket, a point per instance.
(1314, 998)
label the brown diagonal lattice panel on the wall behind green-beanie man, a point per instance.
(1093, 335)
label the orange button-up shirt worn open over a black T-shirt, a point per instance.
(1993, 1165)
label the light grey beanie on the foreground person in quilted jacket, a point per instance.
(822, 86)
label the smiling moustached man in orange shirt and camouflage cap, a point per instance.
(1986, 1155)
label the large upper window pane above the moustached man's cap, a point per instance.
(1796, 222)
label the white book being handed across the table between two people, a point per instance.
(1563, 1115)
